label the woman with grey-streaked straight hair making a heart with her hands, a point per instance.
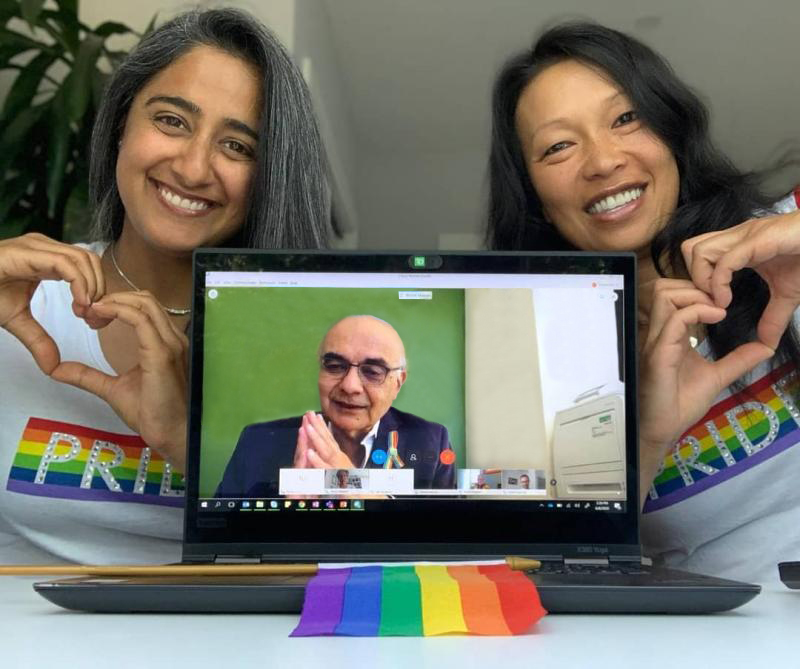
(205, 137)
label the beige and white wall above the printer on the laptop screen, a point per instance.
(557, 343)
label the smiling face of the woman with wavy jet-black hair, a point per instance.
(605, 181)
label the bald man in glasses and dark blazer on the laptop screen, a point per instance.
(362, 368)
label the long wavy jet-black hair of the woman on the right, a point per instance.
(713, 194)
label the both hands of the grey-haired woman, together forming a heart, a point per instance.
(151, 397)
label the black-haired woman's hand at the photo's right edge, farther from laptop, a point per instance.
(770, 246)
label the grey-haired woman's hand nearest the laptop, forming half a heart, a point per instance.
(151, 398)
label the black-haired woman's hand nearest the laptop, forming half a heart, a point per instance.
(677, 384)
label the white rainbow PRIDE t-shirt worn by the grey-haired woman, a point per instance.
(75, 482)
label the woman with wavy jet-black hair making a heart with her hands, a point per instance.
(597, 145)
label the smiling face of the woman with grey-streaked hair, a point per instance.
(188, 152)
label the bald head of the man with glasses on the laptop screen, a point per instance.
(355, 401)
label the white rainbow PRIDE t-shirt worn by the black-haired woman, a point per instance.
(726, 501)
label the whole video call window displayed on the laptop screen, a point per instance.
(512, 386)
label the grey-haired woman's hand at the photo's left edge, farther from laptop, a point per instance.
(27, 260)
